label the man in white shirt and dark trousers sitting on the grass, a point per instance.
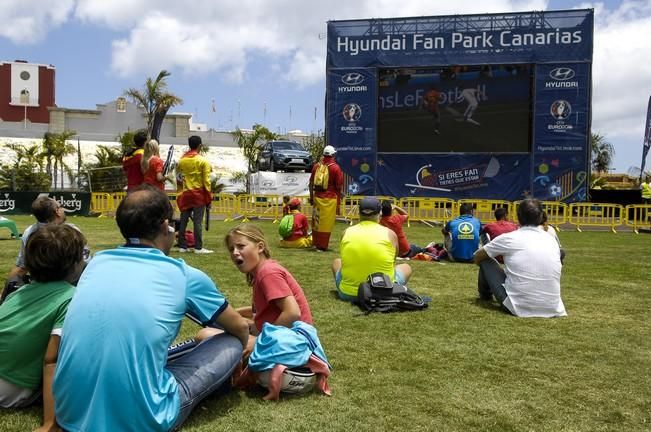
(530, 283)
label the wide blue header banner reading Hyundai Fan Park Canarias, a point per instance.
(532, 37)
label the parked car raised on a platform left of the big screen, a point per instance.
(284, 155)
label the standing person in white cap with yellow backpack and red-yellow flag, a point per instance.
(325, 200)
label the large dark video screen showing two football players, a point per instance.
(466, 109)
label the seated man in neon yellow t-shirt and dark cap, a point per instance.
(367, 248)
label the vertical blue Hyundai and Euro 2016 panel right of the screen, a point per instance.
(561, 153)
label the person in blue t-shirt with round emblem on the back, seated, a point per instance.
(462, 235)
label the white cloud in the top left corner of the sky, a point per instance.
(28, 21)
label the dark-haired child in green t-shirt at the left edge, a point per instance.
(32, 318)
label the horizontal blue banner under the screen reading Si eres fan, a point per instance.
(486, 176)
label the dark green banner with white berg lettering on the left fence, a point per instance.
(73, 203)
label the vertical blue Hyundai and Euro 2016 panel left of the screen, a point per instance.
(352, 116)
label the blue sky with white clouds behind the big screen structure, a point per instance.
(248, 54)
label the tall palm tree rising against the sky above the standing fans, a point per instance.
(156, 101)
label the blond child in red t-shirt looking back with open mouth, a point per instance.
(277, 297)
